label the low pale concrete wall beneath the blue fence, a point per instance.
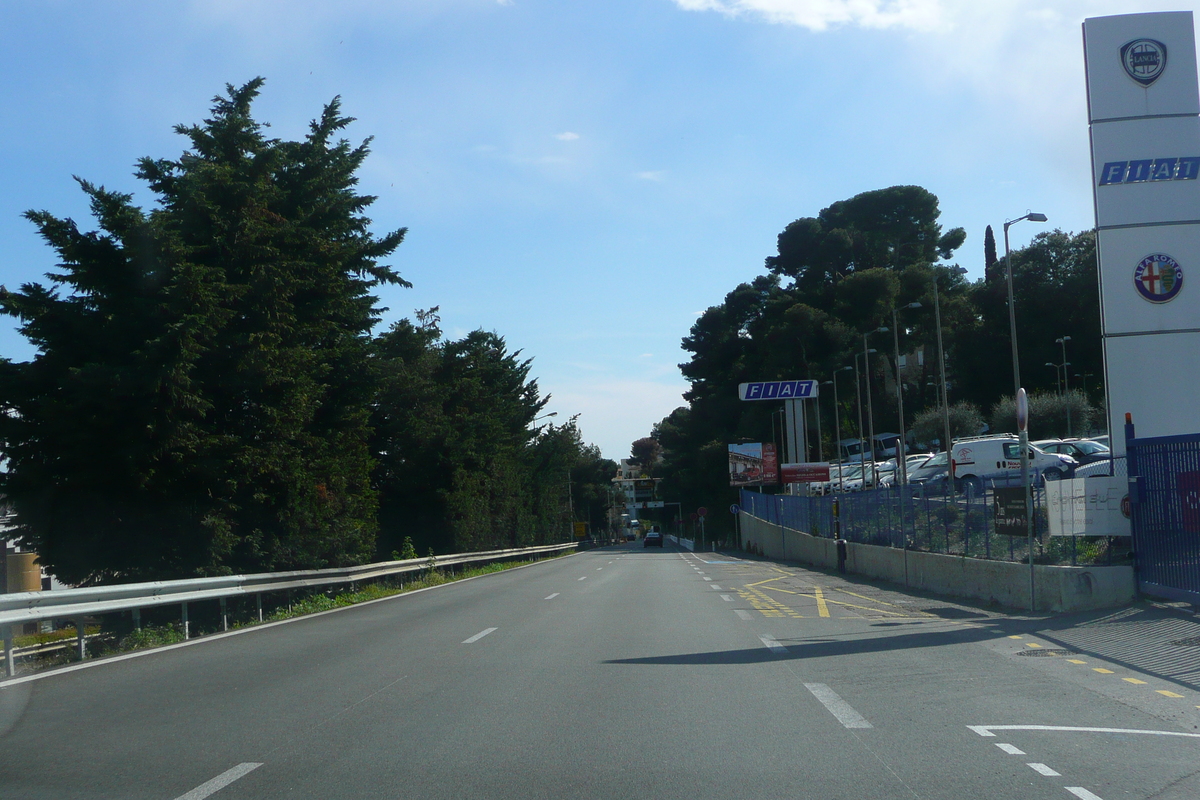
(1057, 588)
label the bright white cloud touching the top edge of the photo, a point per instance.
(821, 15)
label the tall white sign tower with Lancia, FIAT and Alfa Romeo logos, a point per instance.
(1144, 112)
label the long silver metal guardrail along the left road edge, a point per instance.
(76, 604)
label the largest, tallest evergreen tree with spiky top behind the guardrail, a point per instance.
(200, 398)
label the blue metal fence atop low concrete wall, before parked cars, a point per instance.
(933, 519)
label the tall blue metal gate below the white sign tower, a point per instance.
(1165, 483)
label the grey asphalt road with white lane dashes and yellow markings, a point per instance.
(615, 673)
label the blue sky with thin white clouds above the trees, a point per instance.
(583, 178)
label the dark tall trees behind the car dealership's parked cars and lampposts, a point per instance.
(835, 281)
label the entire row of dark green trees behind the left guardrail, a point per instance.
(209, 395)
